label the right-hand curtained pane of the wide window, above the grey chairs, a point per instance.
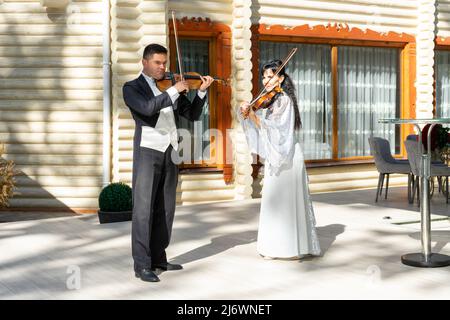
(368, 80)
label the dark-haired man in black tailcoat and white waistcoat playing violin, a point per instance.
(155, 175)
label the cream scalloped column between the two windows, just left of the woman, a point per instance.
(241, 91)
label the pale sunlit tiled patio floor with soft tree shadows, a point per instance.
(216, 243)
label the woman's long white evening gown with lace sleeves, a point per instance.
(286, 222)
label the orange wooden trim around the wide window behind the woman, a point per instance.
(339, 35)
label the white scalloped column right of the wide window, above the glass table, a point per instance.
(426, 26)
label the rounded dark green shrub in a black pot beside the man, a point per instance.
(115, 202)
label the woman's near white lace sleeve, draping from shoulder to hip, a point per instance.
(277, 133)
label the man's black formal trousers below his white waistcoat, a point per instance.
(154, 201)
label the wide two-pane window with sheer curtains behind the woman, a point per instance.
(367, 89)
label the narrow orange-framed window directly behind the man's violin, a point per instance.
(206, 47)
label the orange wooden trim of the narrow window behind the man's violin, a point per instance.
(220, 66)
